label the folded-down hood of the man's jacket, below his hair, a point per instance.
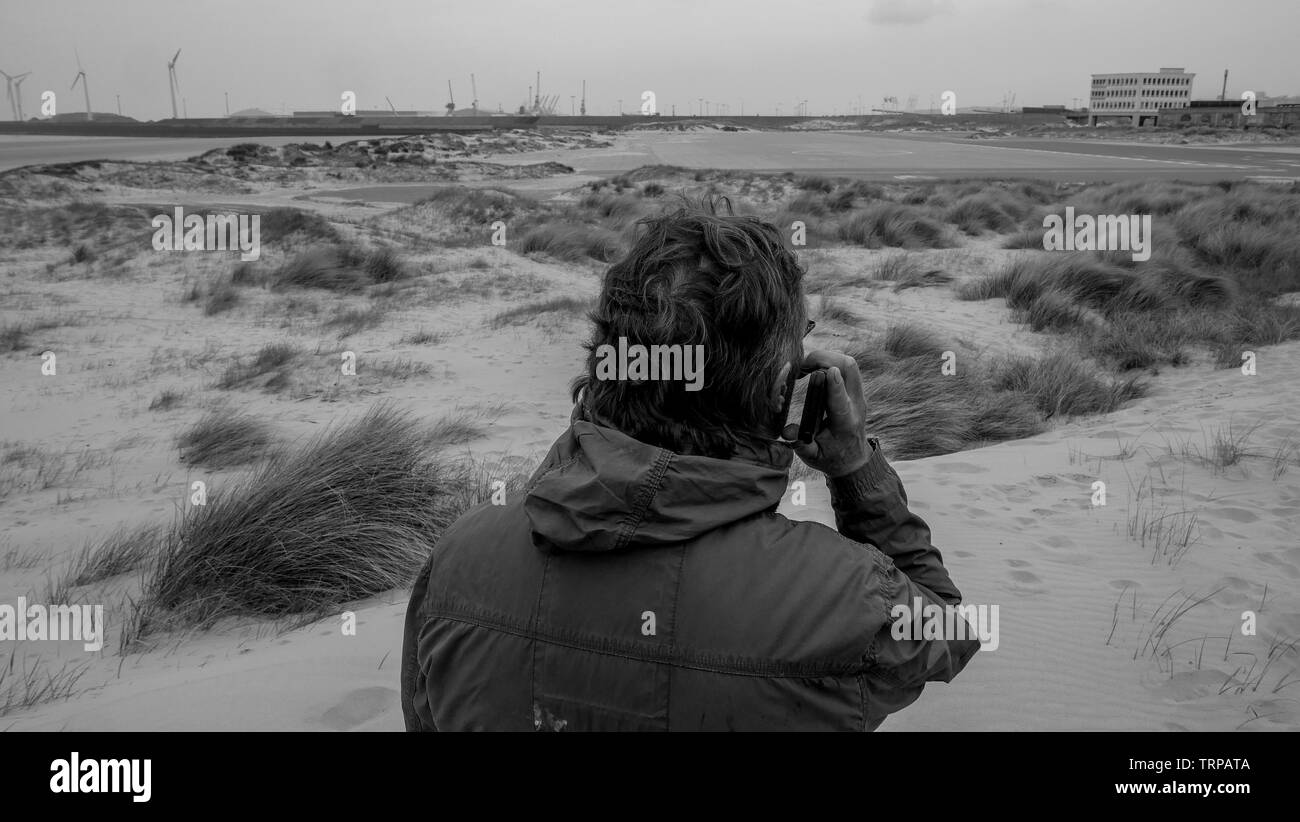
(604, 491)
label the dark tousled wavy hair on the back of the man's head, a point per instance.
(699, 278)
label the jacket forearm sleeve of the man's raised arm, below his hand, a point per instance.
(872, 507)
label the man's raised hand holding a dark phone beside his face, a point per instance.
(842, 447)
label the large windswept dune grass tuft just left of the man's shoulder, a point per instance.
(350, 514)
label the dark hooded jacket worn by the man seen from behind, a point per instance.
(635, 589)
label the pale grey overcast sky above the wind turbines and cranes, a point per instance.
(762, 54)
